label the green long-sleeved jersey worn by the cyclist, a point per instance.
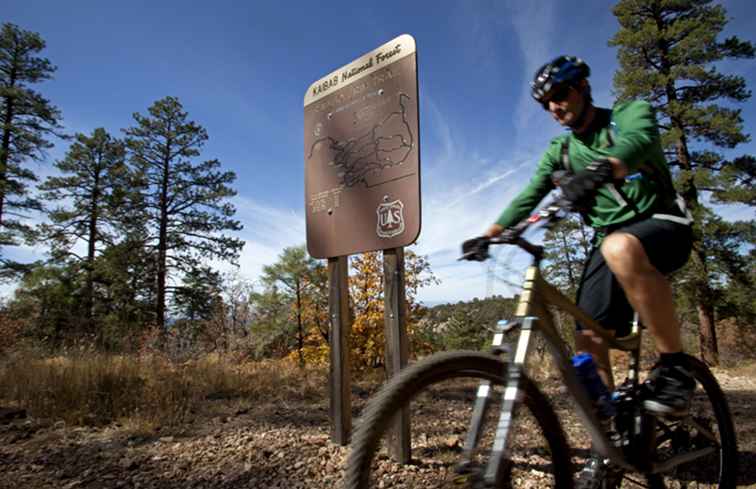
(628, 132)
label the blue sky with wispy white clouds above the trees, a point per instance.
(241, 70)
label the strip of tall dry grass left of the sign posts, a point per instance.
(144, 390)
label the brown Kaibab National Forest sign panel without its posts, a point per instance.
(362, 154)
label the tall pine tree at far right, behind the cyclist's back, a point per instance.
(667, 54)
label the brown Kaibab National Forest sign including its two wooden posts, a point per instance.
(362, 193)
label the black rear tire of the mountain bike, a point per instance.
(728, 451)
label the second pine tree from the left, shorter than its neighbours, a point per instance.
(93, 174)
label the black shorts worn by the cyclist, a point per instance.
(667, 244)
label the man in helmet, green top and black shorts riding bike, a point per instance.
(617, 177)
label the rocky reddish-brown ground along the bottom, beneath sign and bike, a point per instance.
(280, 445)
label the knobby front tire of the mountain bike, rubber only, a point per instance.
(376, 419)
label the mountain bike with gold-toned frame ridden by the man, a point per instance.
(700, 447)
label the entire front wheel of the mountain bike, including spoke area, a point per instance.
(438, 393)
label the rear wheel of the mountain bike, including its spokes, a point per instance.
(708, 426)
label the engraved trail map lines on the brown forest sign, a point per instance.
(357, 158)
